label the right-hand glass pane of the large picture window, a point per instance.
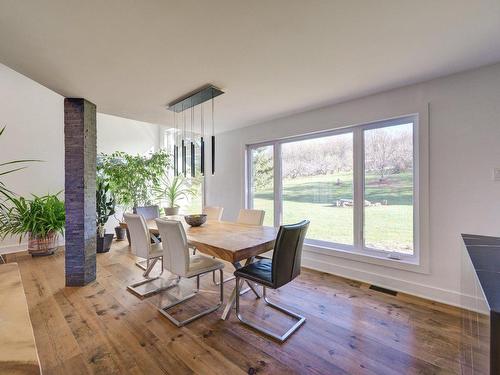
(388, 188)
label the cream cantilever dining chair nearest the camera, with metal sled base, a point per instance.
(178, 261)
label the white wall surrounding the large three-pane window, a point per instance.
(464, 148)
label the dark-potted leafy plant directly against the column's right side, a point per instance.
(105, 207)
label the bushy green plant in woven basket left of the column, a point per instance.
(41, 218)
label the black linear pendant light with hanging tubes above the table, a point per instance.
(188, 101)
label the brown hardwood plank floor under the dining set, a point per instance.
(102, 328)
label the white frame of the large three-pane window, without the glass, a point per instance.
(358, 248)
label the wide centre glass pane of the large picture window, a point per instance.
(317, 177)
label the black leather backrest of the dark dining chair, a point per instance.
(288, 252)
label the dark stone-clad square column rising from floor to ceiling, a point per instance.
(80, 141)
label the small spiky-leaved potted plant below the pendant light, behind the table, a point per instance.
(173, 190)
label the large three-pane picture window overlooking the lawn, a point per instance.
(356, 185)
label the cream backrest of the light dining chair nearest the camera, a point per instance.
(175, 246)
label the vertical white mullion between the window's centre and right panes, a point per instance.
(358, 182)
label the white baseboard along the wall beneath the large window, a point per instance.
(448, 297)
